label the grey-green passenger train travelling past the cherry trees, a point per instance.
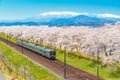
(46, 52)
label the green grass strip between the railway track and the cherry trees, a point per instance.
(106, 72)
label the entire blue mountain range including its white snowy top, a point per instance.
(66, 19)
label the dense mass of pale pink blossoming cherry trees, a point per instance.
(82, 39)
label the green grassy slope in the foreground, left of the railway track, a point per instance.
(24, 67)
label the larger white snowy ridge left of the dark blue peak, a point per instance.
(62, 14)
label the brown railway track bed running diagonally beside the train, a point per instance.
(55, 66)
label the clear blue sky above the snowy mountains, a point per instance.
(20, 9)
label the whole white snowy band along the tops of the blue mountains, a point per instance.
(72, 14)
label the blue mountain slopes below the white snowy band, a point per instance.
(80, 20)
